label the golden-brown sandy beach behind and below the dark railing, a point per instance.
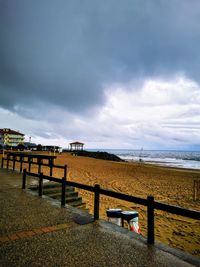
(167, 185)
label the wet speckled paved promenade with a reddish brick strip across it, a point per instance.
(37, 232)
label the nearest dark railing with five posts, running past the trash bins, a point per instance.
(149, 202)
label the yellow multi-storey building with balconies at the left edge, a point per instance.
(10, 137)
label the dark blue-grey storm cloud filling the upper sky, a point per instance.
(64, 52)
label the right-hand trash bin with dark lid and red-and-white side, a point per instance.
(132, 218)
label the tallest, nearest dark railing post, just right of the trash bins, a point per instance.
(150, 220)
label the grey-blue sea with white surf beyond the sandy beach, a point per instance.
(171, 158)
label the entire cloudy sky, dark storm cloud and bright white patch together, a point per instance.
(110, 73)
